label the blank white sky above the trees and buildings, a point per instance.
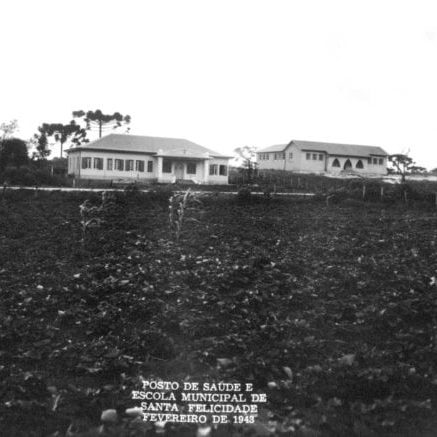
(229, 73)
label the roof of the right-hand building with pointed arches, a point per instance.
(330, 148)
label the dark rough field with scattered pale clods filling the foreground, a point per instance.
(331, 311)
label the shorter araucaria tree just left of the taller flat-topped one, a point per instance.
(61, 133)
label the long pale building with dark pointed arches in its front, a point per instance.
(322, 158)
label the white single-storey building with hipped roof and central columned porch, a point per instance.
(122, 157)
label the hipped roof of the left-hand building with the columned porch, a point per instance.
(153, 145)
